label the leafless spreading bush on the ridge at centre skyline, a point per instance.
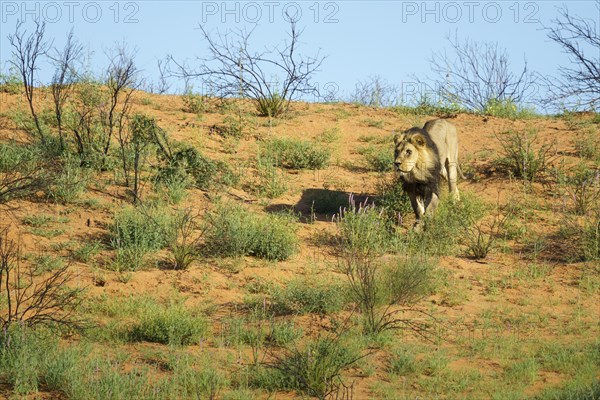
(272, 78)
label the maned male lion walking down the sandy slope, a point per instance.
(421, 157)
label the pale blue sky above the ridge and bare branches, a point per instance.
(392, 39)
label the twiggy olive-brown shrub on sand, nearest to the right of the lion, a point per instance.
(521, 155)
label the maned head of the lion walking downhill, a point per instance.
(415, 155)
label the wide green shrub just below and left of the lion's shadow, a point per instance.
(233, 231)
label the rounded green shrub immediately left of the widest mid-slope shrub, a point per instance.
(138, 231)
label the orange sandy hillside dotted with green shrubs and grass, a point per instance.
(237, 270)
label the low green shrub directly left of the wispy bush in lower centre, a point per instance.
(301, 297)
